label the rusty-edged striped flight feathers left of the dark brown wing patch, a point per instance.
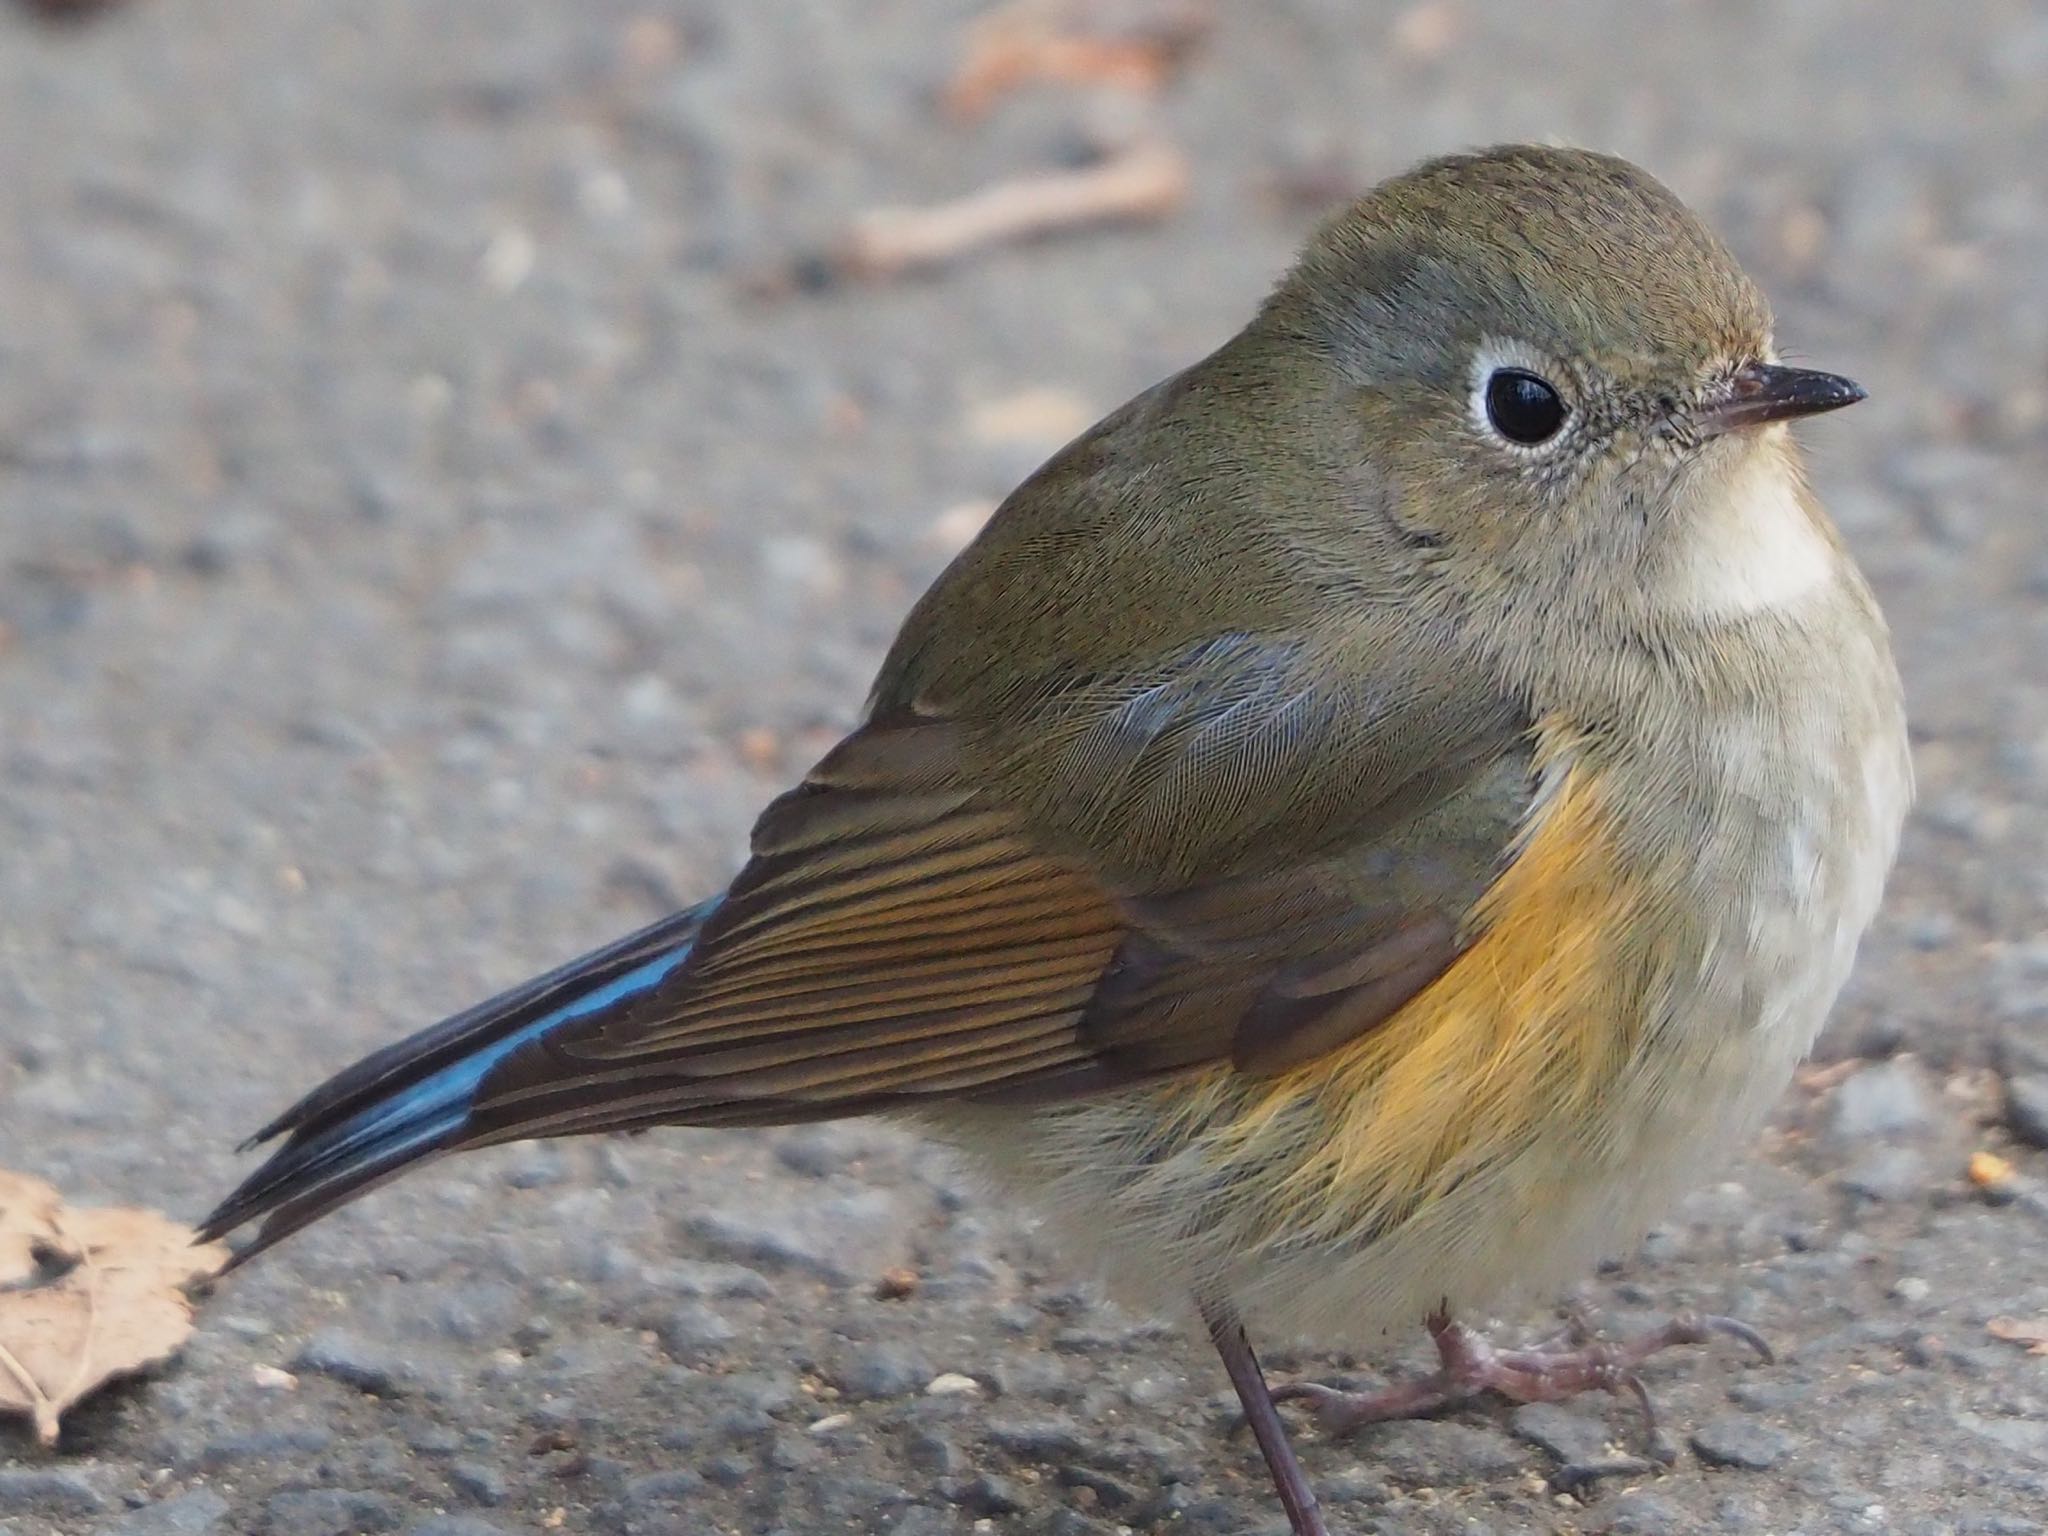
(890, 939)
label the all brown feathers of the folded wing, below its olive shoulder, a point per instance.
(896, 939)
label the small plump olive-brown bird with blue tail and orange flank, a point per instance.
(1355, 835)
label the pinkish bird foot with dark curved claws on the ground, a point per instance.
(1549, 1371)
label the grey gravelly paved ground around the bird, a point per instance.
(421, 558)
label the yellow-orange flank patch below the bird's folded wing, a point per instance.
(1523, 1035)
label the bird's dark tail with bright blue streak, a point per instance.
(413, 1101)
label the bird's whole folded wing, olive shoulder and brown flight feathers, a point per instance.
(1248, 853)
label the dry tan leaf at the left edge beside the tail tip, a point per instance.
(91, 1295)
